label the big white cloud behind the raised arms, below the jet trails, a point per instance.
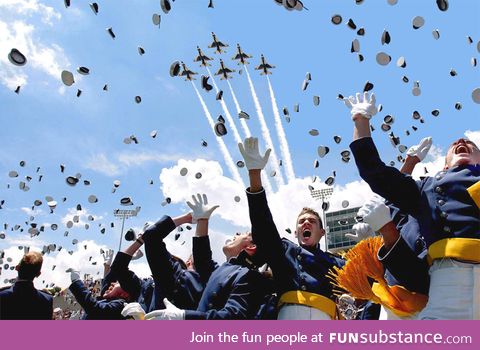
(285, 204)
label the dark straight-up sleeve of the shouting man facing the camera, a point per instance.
(265, 234)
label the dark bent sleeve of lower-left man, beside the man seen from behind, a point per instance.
(94, 308)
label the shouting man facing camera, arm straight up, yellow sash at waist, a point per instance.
(300, 271)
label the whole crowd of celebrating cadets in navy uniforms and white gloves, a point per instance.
(429, 253)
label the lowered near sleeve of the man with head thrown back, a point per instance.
(243, 302)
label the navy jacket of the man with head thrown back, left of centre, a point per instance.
(234, 290)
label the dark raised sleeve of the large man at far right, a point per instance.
(388, 182)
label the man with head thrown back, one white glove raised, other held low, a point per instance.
(234, 289)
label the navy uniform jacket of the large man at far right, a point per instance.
(440, 204)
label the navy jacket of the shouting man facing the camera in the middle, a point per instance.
(294, 268)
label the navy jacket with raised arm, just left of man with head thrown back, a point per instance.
(182, 287)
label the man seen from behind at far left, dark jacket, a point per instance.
(22, 301)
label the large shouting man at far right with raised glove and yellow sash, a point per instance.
(446, 207)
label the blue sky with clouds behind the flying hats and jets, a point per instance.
(47, 125)
